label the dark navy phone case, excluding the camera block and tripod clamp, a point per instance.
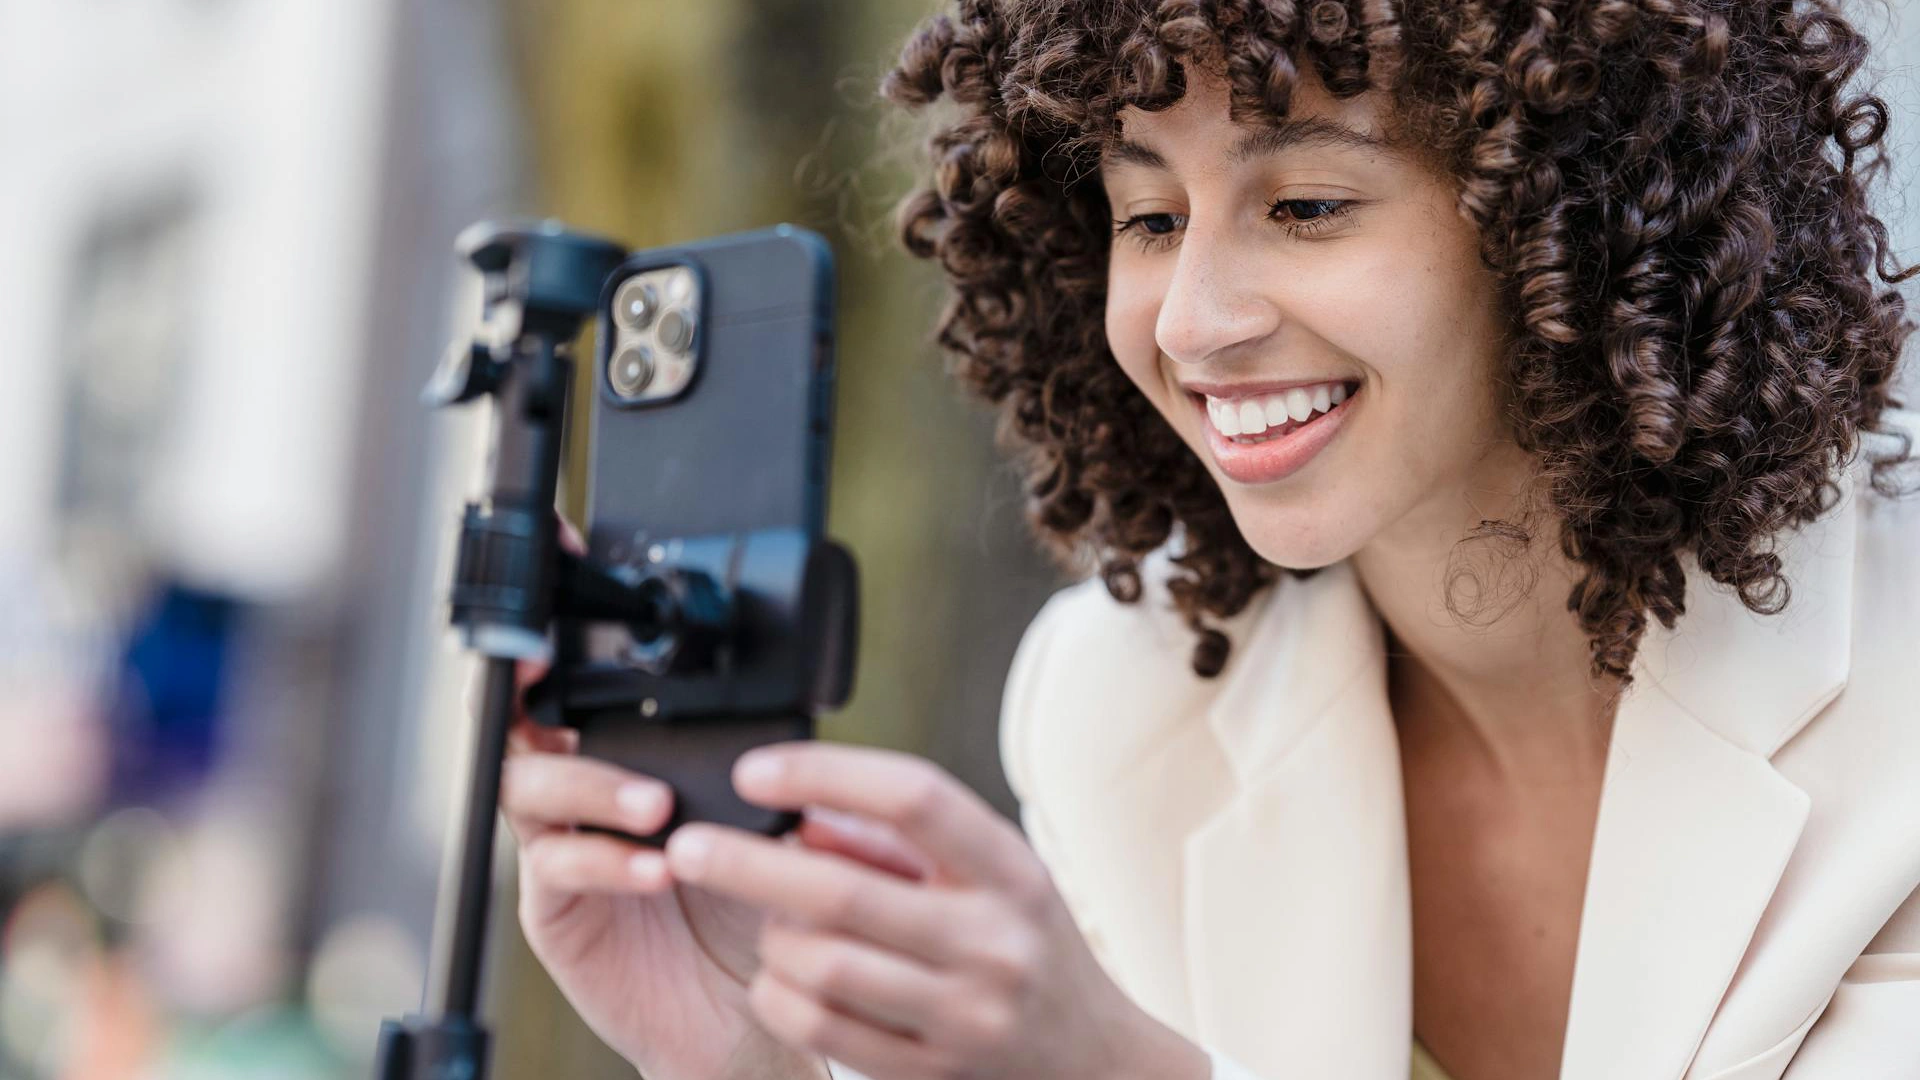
(742, 451)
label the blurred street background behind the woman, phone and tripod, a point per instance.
(231, 716)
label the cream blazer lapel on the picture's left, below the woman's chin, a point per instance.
(1297, 887)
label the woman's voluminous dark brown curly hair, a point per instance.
(1669, 193)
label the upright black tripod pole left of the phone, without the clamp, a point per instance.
(540, 283)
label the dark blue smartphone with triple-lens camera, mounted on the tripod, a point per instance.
(711, 435)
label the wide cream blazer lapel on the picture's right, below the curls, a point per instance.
(1696, 825)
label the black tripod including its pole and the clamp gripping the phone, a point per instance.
(736, 639)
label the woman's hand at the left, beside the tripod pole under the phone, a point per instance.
(658, 970)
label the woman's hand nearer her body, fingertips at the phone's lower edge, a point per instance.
(971, 970)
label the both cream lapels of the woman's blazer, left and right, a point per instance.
(1299, 921)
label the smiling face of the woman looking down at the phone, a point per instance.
(1316, 289)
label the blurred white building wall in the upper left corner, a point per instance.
(239, 143)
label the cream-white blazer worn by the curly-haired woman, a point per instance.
(1236, 848)
